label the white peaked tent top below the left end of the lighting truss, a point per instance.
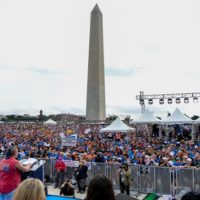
(146, 118)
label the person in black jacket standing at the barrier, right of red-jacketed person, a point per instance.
(81, 176)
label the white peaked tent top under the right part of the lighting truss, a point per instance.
(177, 117)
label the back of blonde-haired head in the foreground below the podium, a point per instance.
(30, 189)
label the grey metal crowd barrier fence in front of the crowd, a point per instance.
(146, 179)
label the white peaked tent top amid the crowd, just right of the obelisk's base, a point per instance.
(117, 126)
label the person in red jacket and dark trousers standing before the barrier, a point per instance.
(60, 170)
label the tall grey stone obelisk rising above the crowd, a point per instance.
(95, 108)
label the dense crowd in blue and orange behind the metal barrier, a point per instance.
(39, 141)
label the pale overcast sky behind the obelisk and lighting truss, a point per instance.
(151, 46)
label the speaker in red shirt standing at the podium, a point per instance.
(10, 176)
